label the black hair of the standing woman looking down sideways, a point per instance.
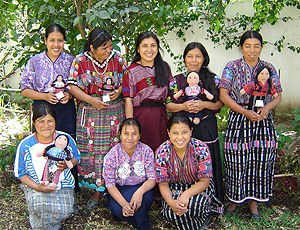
(98, 37)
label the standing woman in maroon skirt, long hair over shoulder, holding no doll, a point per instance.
(145, 88)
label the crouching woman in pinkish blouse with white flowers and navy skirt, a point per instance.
(129, 175)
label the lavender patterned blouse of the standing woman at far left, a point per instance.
(40, 71)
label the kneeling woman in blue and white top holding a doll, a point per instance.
(47, 206)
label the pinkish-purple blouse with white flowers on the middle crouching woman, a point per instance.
(119, 168)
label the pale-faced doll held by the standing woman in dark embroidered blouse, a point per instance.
(192, 90)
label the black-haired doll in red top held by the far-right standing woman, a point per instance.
(259, 88)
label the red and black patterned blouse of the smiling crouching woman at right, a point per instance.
(196, 163)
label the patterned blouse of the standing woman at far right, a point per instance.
(238, 73)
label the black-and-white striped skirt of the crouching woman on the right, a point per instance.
(199, 208)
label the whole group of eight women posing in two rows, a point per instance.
(126, 142)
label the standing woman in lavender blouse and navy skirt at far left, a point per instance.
(41, 71)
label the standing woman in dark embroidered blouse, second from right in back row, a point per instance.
(197, 59)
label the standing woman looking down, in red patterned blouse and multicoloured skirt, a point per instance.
(98, 113)
